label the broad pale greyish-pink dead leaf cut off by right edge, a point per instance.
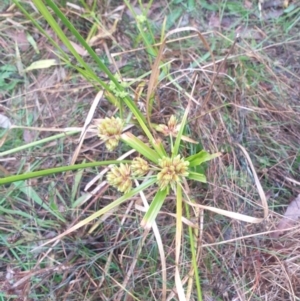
(290, 217)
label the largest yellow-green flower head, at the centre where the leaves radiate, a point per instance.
(172, 170)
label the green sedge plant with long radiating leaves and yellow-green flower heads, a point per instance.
(166, 172)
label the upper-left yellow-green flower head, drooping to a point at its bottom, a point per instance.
(110, 130)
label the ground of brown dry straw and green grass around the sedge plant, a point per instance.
(240, 74)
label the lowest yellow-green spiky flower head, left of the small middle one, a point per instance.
(119, 177)
